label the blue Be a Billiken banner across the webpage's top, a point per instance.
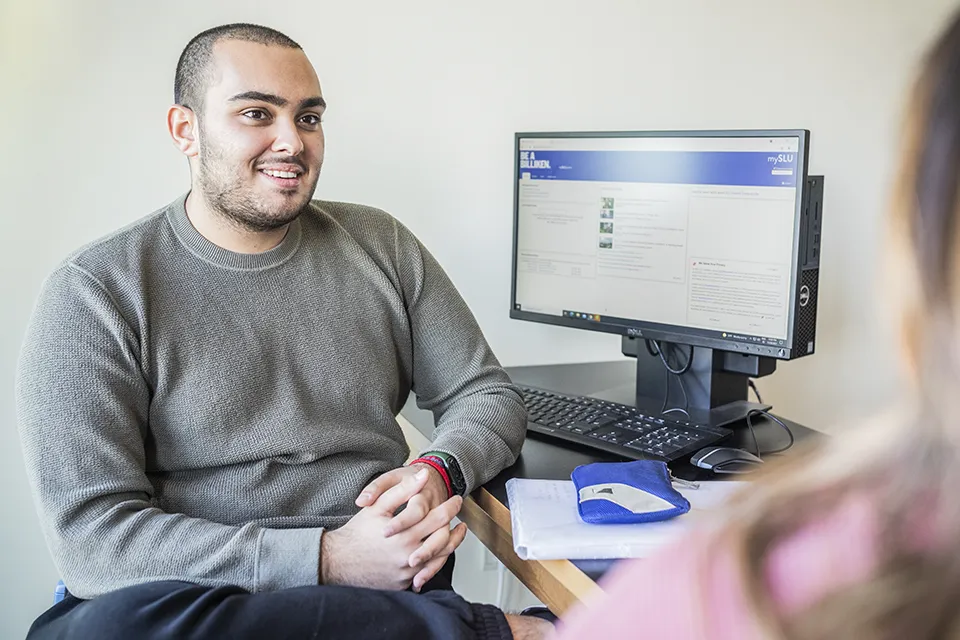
(734, 168)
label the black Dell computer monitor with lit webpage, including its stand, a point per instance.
(706, 239)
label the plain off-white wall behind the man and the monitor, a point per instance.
(424, 98)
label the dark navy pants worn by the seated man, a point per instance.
(178, 610)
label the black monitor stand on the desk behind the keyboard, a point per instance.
(716, 384)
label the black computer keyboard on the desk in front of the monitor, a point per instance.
(615, 428)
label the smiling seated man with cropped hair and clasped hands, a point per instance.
(207, 397)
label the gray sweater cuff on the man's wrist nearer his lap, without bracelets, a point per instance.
(287, 558)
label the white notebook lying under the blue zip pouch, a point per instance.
(546, 525)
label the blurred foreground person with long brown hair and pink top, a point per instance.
(858, 537)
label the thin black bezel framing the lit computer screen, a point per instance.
(657, 331)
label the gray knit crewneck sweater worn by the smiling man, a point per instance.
(191, 413)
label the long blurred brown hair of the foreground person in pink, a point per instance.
(908, 465)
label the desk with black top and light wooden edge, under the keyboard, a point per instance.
(558, 583)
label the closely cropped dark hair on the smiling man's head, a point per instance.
(193, 69)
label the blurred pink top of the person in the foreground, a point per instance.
(693, 589)
